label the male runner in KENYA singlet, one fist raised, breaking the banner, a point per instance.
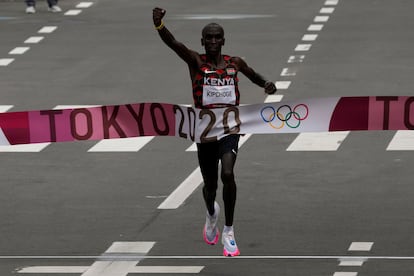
(215, 84)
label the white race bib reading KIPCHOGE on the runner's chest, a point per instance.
(219, 95)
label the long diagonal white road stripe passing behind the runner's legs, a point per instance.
(189, 185)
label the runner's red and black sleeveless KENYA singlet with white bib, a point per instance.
(213, 88)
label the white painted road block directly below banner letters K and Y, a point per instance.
(121, 145)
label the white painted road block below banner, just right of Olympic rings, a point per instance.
(318, 141)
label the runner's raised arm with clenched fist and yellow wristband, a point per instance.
(189, 56)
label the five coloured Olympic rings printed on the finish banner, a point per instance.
(285, 115)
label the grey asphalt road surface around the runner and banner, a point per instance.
(68, 210)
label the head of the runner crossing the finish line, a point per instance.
(212, 38)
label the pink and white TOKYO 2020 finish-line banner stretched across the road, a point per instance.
(205, 125)
